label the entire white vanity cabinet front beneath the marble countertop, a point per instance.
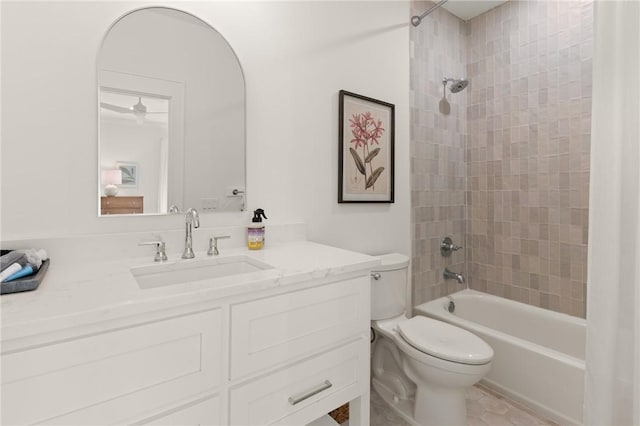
(285, 355)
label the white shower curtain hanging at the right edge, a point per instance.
(612, 383)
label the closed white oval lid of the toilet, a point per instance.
(445, 341)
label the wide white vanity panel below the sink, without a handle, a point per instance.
(114, 375)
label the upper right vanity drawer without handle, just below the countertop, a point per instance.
(277, 329)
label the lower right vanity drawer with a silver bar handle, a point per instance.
(270, 399)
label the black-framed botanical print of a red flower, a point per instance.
(366, 152)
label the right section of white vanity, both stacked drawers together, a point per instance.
(326, 328)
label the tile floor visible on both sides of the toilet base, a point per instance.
(484, 408)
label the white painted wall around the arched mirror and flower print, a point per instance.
(296, 56)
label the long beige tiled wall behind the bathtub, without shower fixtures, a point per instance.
(529, 121)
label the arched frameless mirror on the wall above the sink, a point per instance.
(171, 117)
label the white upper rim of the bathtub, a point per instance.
(438, 309)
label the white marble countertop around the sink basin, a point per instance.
(91, 292)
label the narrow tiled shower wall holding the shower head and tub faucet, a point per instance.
(438, 141)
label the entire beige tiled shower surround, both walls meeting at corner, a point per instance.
(516, 140)
